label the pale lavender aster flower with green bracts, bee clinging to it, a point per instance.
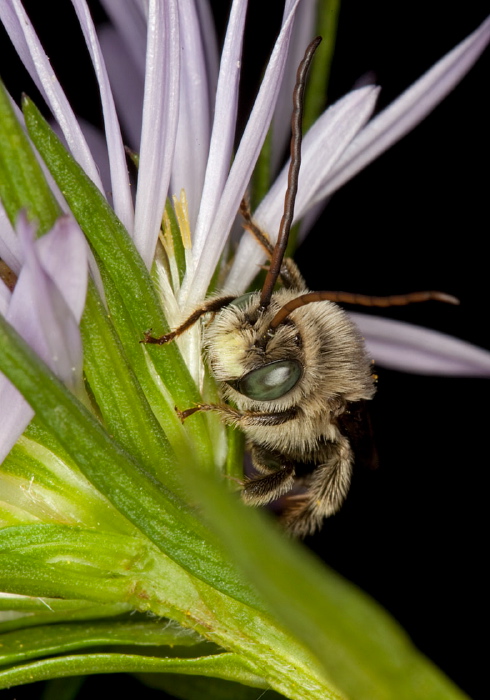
(119, 510)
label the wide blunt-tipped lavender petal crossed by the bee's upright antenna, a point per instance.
(322, 146)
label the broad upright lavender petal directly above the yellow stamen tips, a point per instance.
(194, 127)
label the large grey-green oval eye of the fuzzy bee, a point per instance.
(270, 381)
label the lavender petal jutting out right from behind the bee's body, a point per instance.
(409, 348)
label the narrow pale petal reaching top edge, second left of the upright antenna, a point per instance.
(223, 132)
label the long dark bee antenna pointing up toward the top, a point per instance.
(292, 188)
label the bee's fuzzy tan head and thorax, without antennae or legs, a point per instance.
(317, 355)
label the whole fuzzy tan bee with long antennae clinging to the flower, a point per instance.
(292, 369)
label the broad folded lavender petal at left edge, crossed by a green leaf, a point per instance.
(46, 316)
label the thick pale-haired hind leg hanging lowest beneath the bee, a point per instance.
(326, 489)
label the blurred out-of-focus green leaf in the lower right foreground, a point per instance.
(364, 652)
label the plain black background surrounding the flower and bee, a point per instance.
(411, 532)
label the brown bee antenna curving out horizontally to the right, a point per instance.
(360, 300)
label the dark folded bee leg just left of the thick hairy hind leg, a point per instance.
(277, 478)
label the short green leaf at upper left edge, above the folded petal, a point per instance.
(22, 182)
